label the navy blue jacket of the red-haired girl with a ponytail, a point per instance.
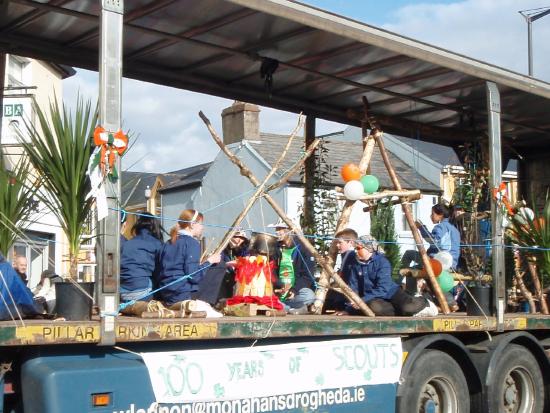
(178, 259)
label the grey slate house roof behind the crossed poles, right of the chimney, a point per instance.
(338, 153)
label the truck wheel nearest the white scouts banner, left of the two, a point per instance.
(435, 383)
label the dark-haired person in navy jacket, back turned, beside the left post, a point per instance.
(139, 260)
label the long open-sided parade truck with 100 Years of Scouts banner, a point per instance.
(322, 64)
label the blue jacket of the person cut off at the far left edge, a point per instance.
(15, 298)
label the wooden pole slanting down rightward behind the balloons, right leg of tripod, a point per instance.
(416, 233)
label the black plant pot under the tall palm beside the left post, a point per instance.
(71, 302)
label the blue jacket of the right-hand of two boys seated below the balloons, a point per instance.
(370, 279)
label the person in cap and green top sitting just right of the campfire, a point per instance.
(295, 270)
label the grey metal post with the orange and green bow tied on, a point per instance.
(110, 93)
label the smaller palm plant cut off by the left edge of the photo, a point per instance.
(17, 203)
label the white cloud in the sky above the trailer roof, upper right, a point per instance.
(488, 30)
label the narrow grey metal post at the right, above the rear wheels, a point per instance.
(495, 156)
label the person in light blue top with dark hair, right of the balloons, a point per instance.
(444, 236)
